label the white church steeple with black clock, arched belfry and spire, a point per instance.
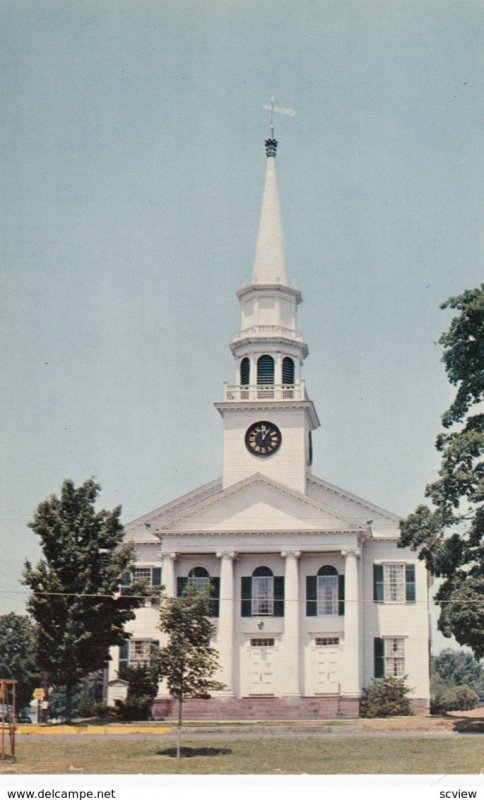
(267, 415)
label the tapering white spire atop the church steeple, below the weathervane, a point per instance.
(270, 260)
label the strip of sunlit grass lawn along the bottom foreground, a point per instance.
(258, 756)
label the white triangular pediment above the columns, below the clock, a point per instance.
(256, 503)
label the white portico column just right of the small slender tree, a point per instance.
(225, 637)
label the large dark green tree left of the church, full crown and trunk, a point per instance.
(76, 600)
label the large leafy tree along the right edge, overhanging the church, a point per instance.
(450, 534)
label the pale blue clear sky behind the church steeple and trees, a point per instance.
(132, 166)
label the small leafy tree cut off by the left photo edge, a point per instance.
(17, 656)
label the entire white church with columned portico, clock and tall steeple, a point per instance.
(312, 599)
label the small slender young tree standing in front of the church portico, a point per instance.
(187, 661)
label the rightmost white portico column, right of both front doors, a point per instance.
(351, 674)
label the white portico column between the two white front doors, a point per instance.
(291, 643)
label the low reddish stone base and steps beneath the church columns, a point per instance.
(258, 708)
